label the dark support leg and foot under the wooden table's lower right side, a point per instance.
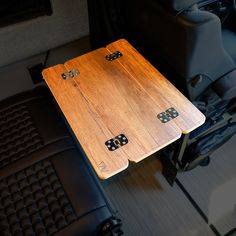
(173, 163)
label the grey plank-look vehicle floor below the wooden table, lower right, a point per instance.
(201, 203)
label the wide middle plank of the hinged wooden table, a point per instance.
(121, 102)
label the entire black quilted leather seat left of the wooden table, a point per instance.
(46, 187)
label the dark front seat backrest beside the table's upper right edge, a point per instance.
(189, 40)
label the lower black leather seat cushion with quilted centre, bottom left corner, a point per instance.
(56, 195)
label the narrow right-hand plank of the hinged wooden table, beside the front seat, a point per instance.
(158, 87)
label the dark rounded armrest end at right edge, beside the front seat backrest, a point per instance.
(225, 87)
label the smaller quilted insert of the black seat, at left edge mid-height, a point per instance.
(18, 134)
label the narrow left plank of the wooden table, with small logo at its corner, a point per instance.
(78, 112)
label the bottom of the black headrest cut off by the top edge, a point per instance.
(179, 5)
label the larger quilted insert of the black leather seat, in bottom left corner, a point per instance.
(33, 202)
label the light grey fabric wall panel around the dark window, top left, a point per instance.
(68, 22)
